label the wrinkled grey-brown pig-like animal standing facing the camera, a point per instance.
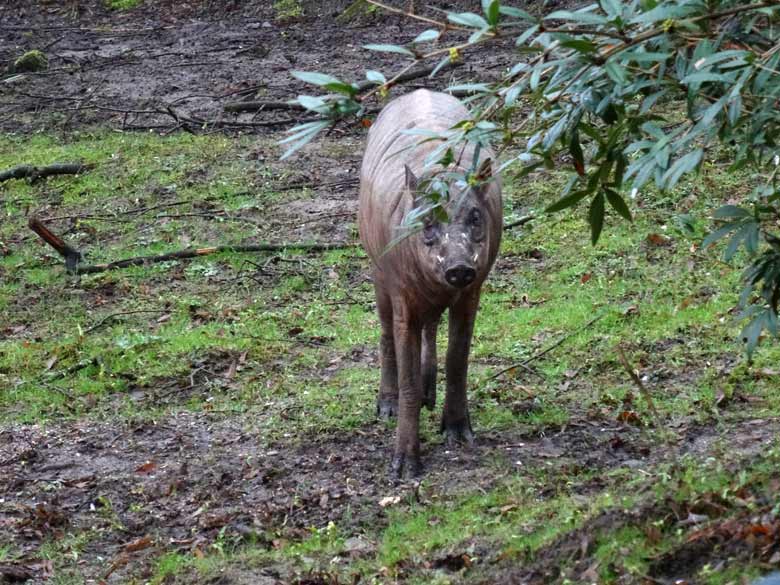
(442, 267)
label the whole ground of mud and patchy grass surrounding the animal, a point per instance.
(212, 420)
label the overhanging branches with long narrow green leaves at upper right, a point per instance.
(624, 94)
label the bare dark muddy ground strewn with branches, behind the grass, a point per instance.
(142, 68)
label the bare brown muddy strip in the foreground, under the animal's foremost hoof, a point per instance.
(190, 479)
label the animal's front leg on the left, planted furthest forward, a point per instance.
(407, 332)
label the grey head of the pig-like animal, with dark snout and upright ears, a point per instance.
(457, 250)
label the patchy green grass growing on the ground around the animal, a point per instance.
(288, 341)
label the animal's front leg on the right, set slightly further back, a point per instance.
(455, 421)
